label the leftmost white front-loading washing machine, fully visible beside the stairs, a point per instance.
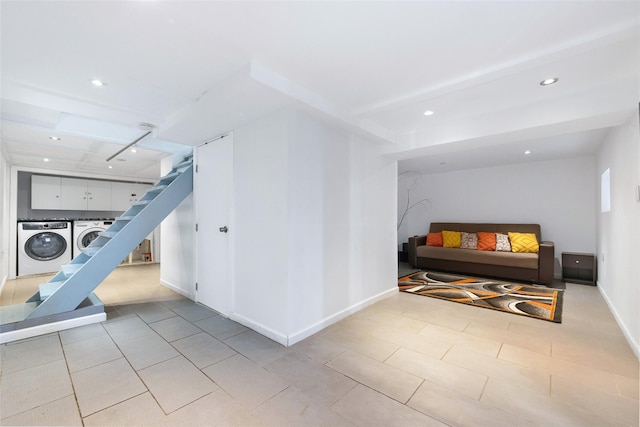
(43, 246)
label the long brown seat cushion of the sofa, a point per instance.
(522, 260)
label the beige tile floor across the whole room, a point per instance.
(160, 359)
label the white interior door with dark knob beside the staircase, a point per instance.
(213, 191)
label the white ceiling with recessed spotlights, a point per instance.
(196, 69)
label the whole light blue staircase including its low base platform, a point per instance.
(71, 289)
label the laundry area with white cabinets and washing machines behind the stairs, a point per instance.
(58, 216)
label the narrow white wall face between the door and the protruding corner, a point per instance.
(260, 235)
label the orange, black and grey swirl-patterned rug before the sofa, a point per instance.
(535, 301)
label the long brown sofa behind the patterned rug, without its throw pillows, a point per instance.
(529, 267)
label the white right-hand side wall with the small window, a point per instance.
(619, 229)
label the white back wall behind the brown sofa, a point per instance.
(559, 195)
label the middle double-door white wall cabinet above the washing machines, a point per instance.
(85, 194)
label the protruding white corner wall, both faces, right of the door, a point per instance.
(314, 224)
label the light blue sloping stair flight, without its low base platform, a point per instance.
(97, 262)
